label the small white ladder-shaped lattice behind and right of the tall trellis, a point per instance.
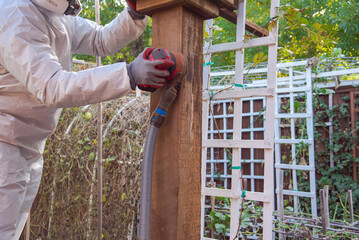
(290, 116)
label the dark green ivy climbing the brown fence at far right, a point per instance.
(339, 177)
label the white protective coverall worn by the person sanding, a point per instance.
(36, 81)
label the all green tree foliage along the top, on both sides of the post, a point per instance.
(307, 28)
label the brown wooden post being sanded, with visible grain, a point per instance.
(176, 188)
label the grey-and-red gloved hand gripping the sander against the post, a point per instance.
(146, 74)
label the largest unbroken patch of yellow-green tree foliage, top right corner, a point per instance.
(315, 27)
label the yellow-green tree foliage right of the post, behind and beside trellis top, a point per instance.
(307, 28)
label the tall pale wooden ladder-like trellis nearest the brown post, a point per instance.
(237, 144)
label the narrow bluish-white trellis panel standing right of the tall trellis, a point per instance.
(291, 91)
